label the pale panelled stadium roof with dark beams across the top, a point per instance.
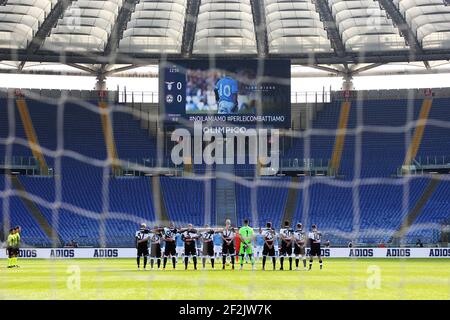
(140, 32)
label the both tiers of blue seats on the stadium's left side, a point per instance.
(83, 135)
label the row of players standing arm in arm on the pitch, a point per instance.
(293, 244)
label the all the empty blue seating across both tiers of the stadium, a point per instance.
(96, 209)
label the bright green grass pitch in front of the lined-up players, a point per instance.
(119, 279)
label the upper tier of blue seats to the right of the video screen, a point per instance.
(392, 113)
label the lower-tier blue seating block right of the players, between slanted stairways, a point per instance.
(353, 216)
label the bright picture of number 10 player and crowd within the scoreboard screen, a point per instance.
(220, 92)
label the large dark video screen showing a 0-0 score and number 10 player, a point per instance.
(238, 92)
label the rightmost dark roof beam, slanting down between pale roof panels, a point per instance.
(405, 30)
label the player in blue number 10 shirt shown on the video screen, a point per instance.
(226, 91)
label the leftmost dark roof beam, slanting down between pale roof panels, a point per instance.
(51, 20)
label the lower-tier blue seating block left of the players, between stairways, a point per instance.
(83, 216)
